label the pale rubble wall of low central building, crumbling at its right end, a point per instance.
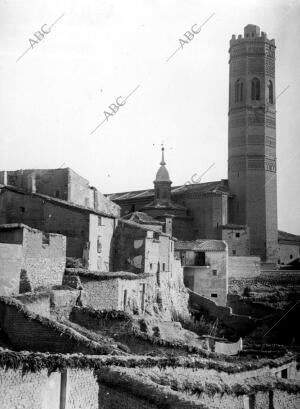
(164, 295)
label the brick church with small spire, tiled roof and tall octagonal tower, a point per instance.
(242, 210)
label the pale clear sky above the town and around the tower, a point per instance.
(53, 97)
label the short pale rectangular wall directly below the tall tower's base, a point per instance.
(243, 267)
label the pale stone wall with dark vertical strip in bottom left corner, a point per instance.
(71, 389)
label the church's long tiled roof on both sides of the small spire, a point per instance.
(209, 187)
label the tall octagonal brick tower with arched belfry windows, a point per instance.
(252, 139)
